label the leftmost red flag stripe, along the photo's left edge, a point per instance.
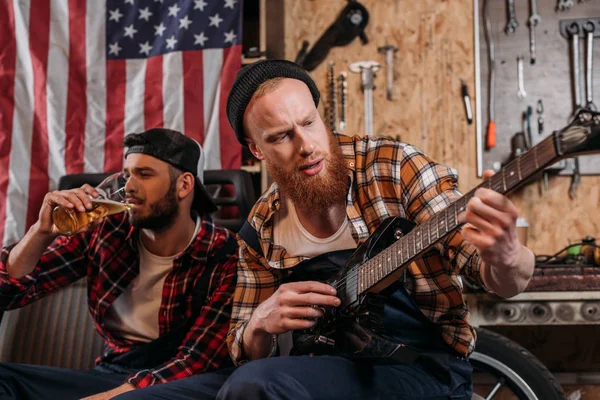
(8, 60)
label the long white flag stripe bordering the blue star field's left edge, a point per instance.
(95, 123)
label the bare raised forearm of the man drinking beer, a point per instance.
(25, 255)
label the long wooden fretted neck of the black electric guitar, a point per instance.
(375, 273)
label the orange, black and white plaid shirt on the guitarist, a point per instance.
(387, 178)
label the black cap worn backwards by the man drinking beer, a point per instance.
(180, 151)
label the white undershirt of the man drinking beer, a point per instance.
(134, 314)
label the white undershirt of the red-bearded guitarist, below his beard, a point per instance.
(297, 241)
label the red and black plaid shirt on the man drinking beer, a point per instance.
(108, 257)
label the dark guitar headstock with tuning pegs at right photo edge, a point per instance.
(581, 136)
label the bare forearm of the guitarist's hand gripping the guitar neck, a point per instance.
(510, 281)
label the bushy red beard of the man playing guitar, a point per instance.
(317, 192)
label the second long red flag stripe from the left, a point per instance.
(39, 41)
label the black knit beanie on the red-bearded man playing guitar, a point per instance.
(251, 77)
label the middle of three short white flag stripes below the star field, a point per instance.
(173, 91)
